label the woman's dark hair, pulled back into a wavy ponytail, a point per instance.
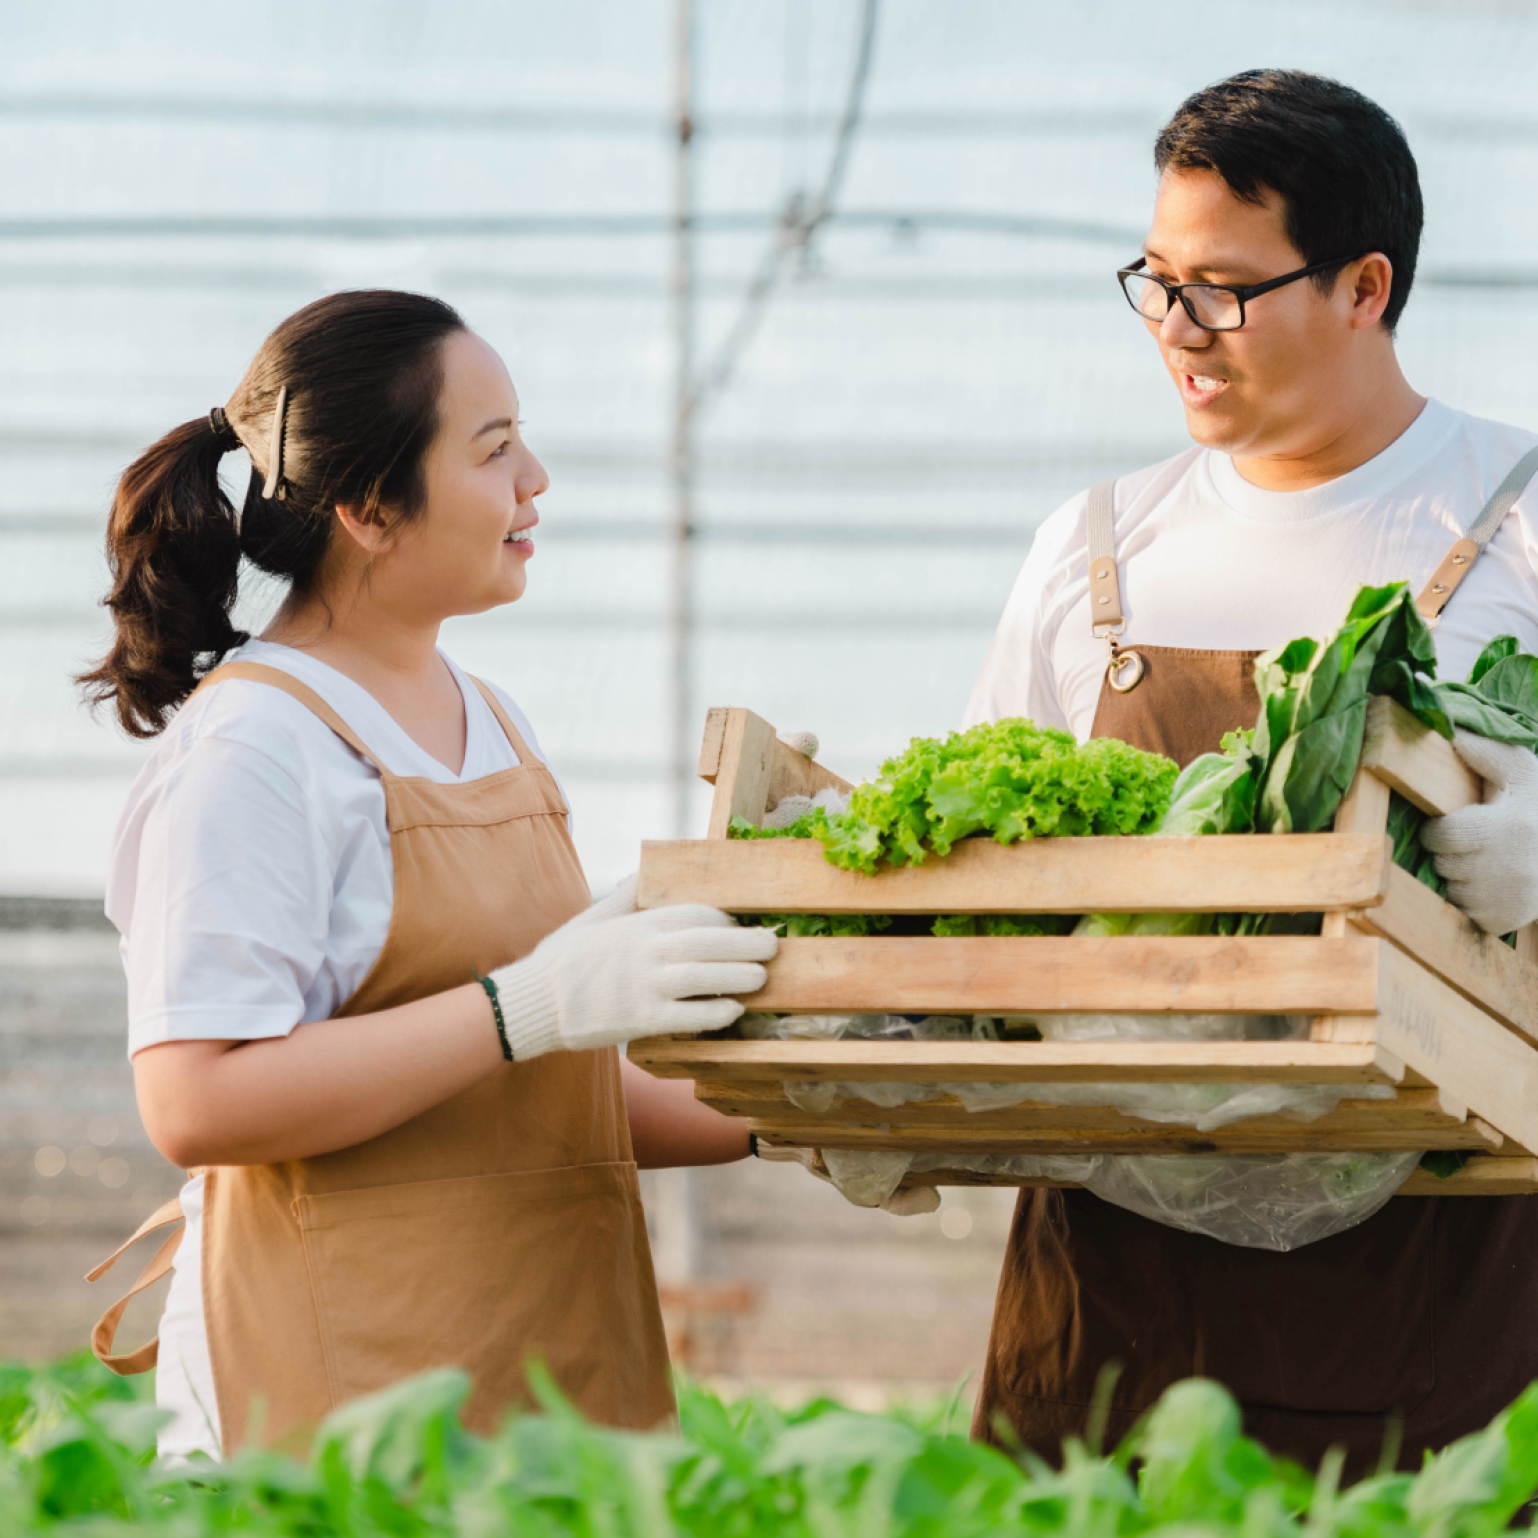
(361, 378)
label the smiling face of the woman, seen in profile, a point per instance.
(468, 550)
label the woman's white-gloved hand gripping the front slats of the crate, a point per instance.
(613, 976)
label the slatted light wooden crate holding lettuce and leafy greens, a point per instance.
(1403, 988)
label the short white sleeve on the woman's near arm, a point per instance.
(231, 899)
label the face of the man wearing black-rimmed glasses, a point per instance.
(1274, 387)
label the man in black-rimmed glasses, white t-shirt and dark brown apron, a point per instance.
(1280, 258)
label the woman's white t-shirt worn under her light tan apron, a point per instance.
(251, 882)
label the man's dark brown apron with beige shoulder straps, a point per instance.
(1426, 1314)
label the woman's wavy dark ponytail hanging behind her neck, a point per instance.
(175, 556)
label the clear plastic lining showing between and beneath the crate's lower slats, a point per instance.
(1274, 1202)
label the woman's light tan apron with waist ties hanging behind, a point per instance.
(498, 1228)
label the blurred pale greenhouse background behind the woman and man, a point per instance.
(934, 368)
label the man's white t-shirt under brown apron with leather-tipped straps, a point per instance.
(1208, 561)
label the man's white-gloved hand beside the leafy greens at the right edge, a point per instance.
(1488, 854)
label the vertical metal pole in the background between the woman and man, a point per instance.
(681, 702)
